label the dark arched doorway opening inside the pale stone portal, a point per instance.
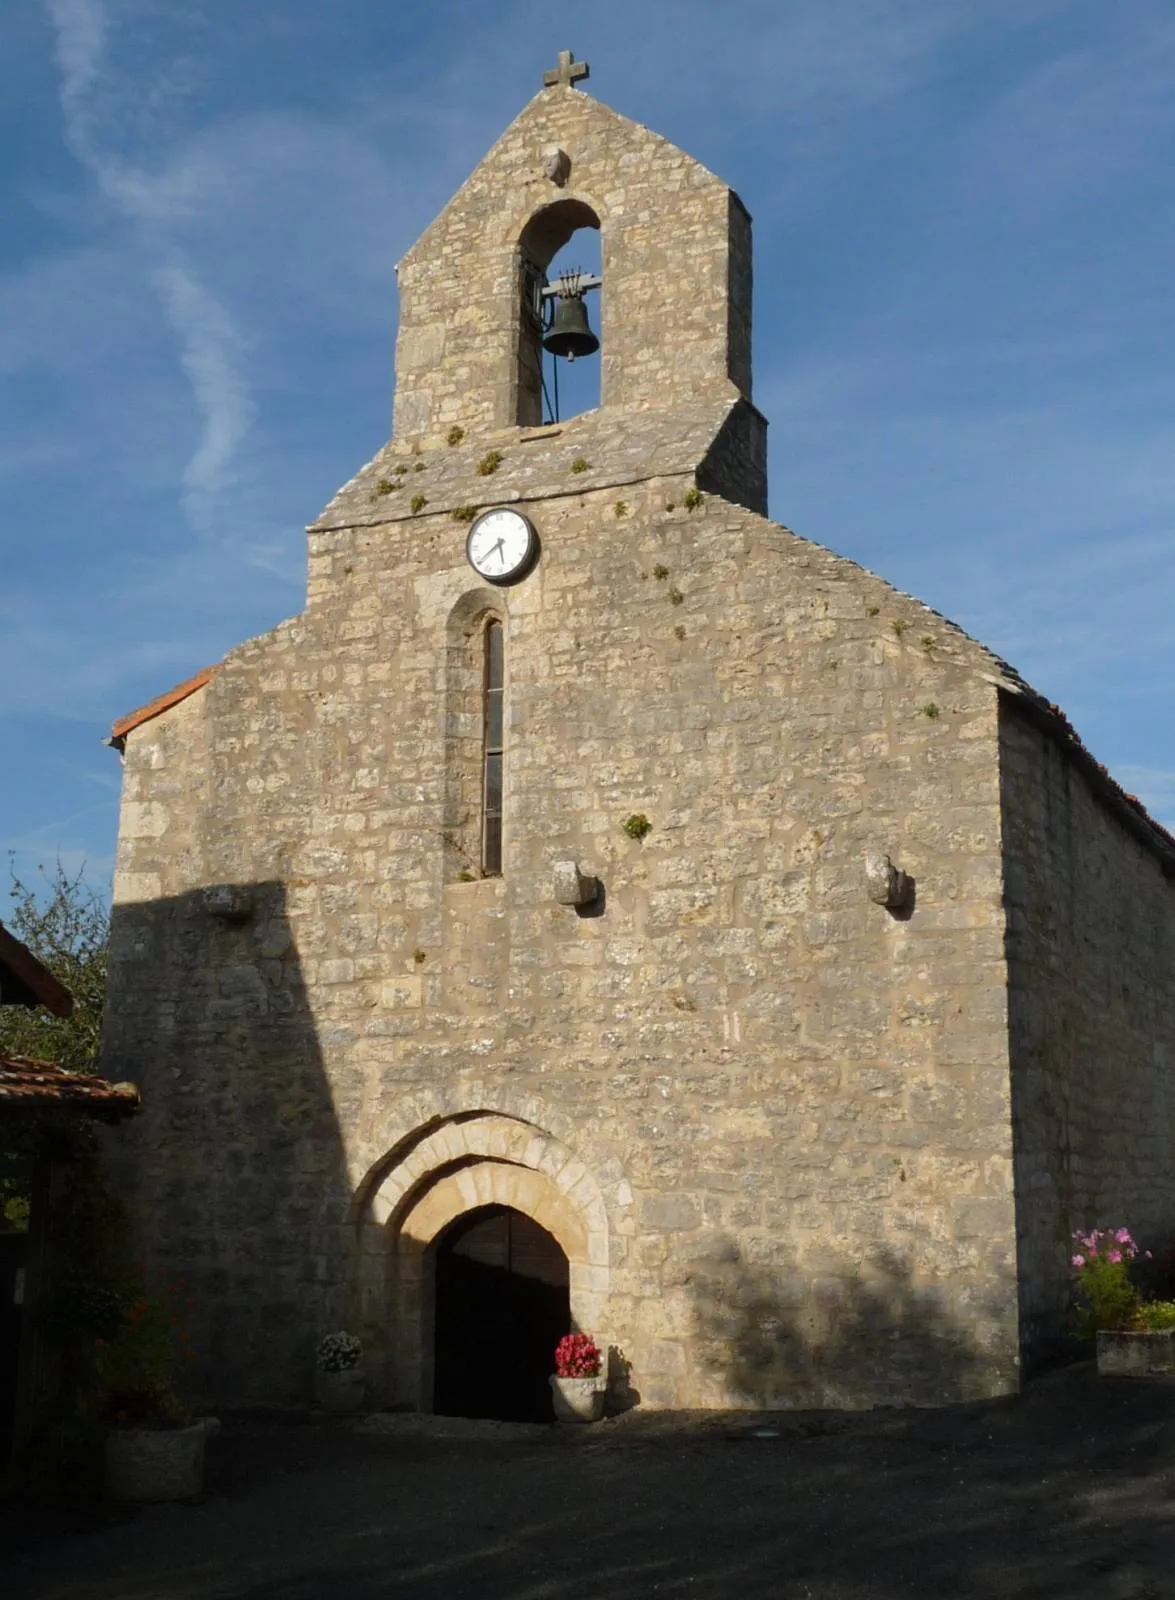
(502, 1308)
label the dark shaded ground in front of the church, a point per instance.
(1065, 1494)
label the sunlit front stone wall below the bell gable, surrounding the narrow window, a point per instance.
(793, 1103)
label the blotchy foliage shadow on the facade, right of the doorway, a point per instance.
(841, 1340)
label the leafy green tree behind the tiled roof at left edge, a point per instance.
(66, 926)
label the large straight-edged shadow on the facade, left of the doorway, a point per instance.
(235, 1170)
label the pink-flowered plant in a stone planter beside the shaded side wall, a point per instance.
(1136, 1337)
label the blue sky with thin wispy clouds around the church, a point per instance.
(964, 319)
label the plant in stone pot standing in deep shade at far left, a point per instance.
(154, 1449)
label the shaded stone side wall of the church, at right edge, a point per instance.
(1093, 1017)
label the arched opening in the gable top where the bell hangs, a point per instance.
(559, 239)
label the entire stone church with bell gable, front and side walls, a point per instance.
(809, 1081)
